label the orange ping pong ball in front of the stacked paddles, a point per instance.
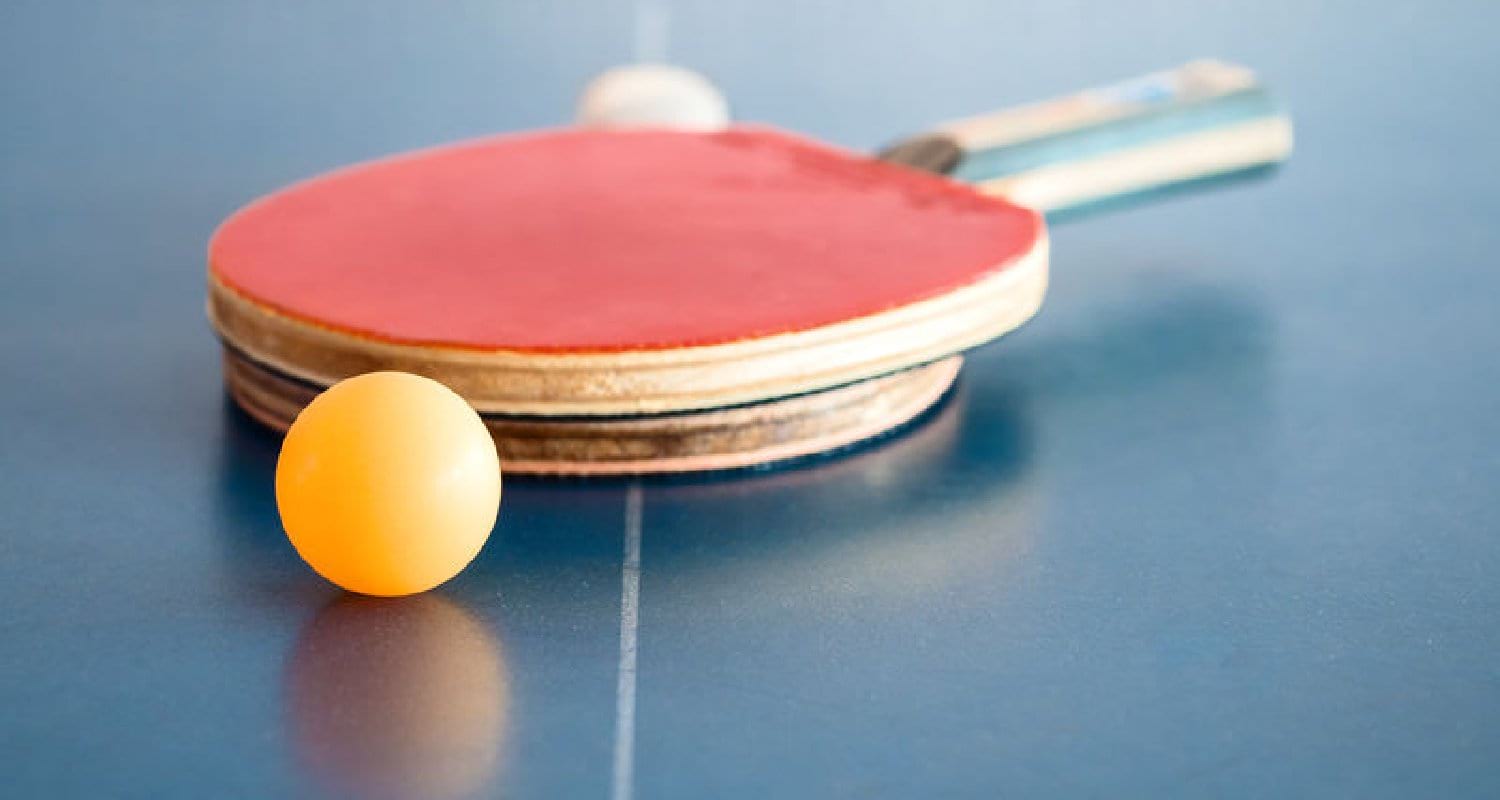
(388, 484)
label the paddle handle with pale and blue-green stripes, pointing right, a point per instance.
(1199, 122)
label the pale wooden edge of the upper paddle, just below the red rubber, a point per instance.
(652, 382)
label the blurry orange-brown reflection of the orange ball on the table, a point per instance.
(398, 699)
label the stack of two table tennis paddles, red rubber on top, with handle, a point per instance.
(658, 301)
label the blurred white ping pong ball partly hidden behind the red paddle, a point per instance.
(653, 97)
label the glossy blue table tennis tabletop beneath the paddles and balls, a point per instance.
(1225, 522)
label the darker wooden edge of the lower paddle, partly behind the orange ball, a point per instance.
(670, 444)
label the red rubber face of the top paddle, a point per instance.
(593, 241)
